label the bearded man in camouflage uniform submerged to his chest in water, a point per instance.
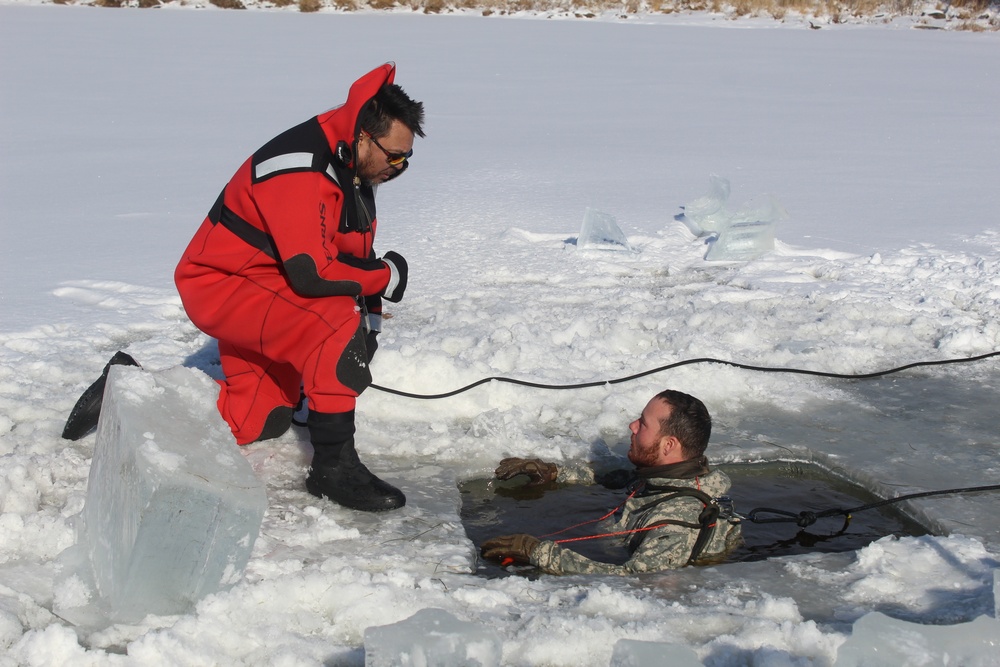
(669, 519)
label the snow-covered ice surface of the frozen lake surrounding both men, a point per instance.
(119, 127)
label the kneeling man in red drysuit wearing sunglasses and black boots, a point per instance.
(283, 274)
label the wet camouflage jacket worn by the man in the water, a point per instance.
(662, 548)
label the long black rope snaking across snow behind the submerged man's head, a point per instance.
(686, 362)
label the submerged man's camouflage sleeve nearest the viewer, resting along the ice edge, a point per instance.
(664, 548)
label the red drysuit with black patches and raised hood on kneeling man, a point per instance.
(282, 270)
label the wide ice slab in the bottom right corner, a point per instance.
(881, 641)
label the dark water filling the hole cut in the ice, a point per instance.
(491, 508)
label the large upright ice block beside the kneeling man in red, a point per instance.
(172, 508)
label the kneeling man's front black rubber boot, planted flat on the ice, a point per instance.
(338, 474)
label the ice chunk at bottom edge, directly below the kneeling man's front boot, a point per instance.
(431, 637)
